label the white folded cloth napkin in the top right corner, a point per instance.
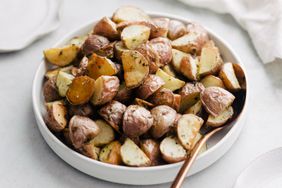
(262, 19)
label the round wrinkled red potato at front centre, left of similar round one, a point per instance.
(137, 120)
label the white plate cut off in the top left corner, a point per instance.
(22, 22)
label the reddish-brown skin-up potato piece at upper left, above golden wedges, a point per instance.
(94, 43)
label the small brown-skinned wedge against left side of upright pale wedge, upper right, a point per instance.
(188, 67)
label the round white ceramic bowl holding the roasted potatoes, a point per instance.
(218, 145)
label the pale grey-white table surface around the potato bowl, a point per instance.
(27, 161)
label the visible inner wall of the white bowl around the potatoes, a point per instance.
(39, 108)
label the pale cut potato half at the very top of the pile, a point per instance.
(129, 13)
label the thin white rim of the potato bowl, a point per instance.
(68, 36)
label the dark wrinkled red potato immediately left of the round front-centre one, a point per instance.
(112, 113)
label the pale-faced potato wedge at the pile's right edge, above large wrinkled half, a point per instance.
(229, 78)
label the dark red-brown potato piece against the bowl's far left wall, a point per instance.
(50, 91)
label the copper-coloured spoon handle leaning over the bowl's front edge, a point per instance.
(190, 160)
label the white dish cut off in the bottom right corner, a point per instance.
(263, 172)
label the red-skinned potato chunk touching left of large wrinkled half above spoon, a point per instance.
(190, 94)
